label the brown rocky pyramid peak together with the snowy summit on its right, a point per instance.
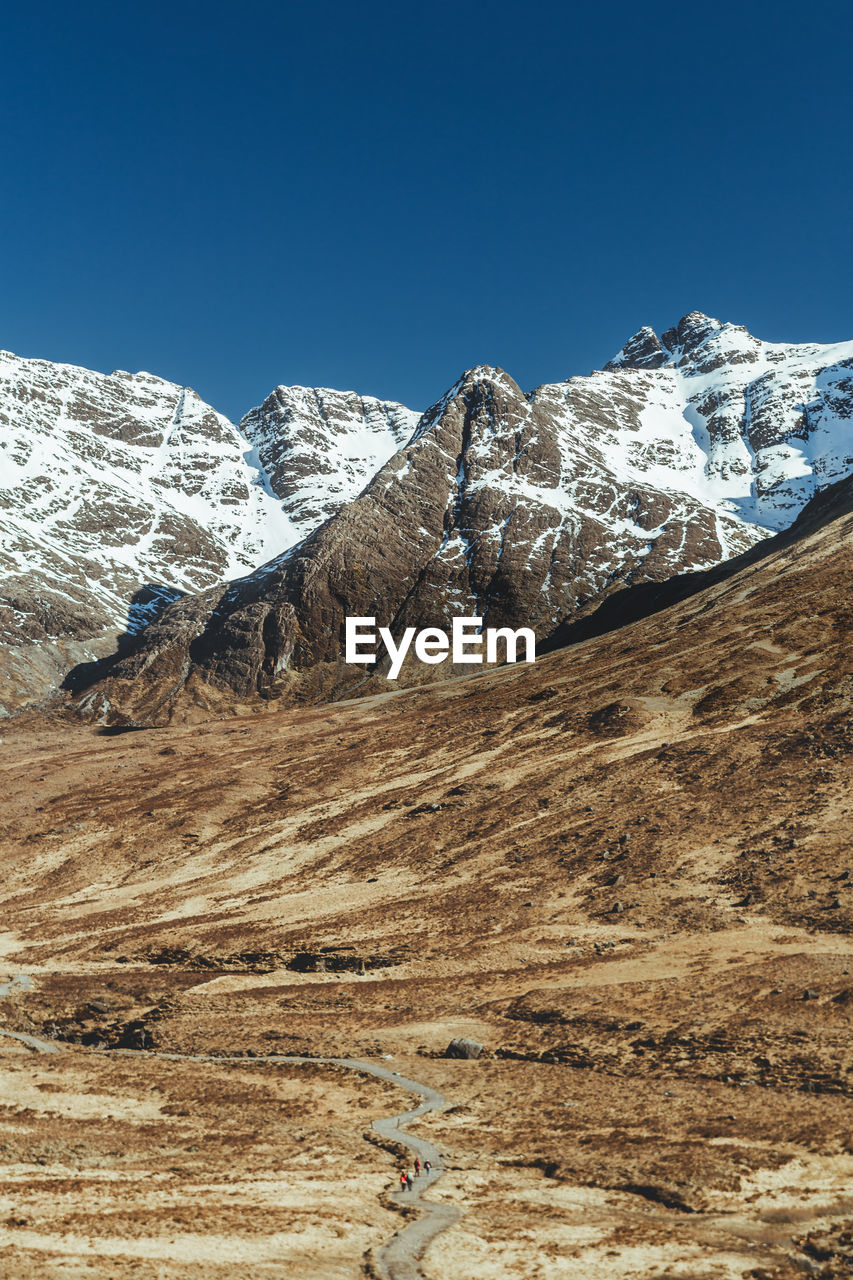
(522, 509)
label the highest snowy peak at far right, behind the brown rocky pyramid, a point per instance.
(755, 428)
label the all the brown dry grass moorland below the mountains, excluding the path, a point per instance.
(627, 871)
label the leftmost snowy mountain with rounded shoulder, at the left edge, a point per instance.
(116, 482)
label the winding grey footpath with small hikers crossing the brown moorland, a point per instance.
(399, 1258)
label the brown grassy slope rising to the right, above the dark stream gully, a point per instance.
(704, 751)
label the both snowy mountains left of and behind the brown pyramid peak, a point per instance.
(121, 492)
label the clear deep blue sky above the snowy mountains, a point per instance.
(380, 195)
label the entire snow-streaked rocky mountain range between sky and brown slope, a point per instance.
(122, 493)
